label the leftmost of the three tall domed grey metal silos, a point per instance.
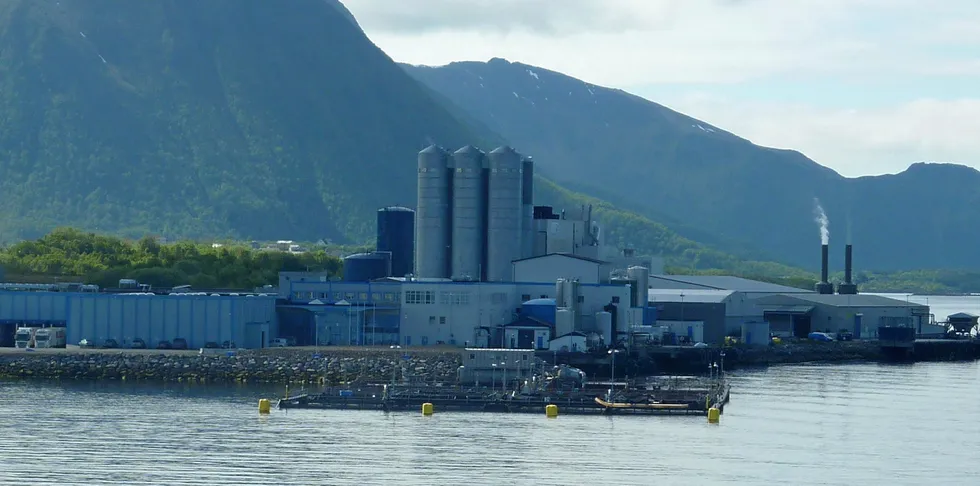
(433, 229)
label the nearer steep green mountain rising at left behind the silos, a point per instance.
(231, 119)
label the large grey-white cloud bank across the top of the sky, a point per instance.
(630, 42)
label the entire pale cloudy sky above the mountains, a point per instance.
(865, 87)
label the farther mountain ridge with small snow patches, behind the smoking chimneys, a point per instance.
(674, 168)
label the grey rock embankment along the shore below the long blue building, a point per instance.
(265, 366)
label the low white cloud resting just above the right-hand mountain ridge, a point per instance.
(854, 142)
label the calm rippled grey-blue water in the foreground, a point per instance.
(800, 425)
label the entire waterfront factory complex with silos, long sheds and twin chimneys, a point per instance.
(475, 265)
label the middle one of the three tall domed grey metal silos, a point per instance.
(469, 214)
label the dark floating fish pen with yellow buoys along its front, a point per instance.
(660, 396)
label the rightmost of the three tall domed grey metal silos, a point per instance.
(504, 214)
